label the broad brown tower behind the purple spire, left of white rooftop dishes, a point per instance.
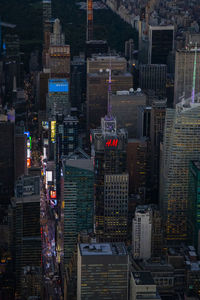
(97, 84)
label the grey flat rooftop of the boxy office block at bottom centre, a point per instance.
(99, 249)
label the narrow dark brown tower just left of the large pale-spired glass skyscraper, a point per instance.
(158, 110)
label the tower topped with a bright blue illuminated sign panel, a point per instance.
(58, 97)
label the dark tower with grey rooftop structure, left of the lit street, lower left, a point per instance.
(26, 206)
